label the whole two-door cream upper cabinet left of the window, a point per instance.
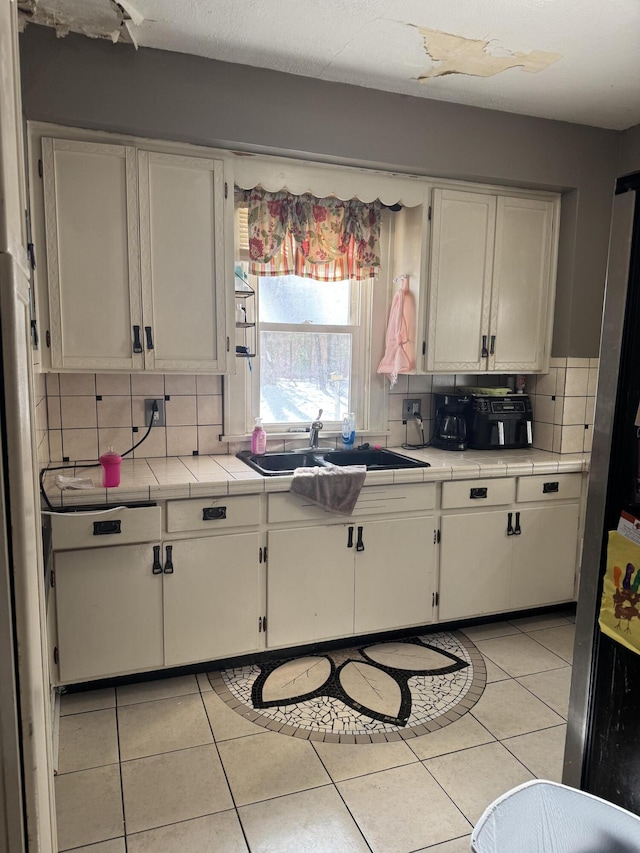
(137, 267)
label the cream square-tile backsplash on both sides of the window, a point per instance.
(83, 415)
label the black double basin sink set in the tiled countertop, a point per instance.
(280, 464)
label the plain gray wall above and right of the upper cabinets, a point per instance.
(94, 84)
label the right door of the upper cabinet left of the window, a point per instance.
(182, 262)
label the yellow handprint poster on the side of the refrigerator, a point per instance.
(620, 606)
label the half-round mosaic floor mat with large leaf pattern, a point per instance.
(369, 693)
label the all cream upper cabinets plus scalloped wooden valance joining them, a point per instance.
(138, 269)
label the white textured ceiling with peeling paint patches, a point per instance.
(573, 60)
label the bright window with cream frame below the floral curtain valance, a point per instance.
(314, 350)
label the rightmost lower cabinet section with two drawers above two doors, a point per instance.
(519, 556)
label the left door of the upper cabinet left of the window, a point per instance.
(91, 220)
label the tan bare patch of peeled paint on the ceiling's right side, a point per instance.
(460, 55)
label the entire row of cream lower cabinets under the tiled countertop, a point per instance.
(197, 595)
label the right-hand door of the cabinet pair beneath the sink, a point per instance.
(394, 574)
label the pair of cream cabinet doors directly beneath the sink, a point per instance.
(340, 580)
